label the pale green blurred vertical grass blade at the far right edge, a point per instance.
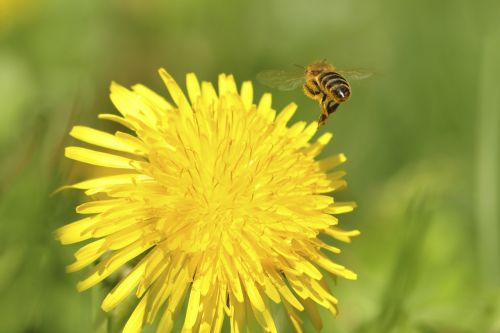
(487, 162)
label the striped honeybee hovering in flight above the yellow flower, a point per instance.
(320, 82)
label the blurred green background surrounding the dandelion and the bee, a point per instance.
(421, 136)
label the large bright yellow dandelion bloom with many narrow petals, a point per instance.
(221, 201)
